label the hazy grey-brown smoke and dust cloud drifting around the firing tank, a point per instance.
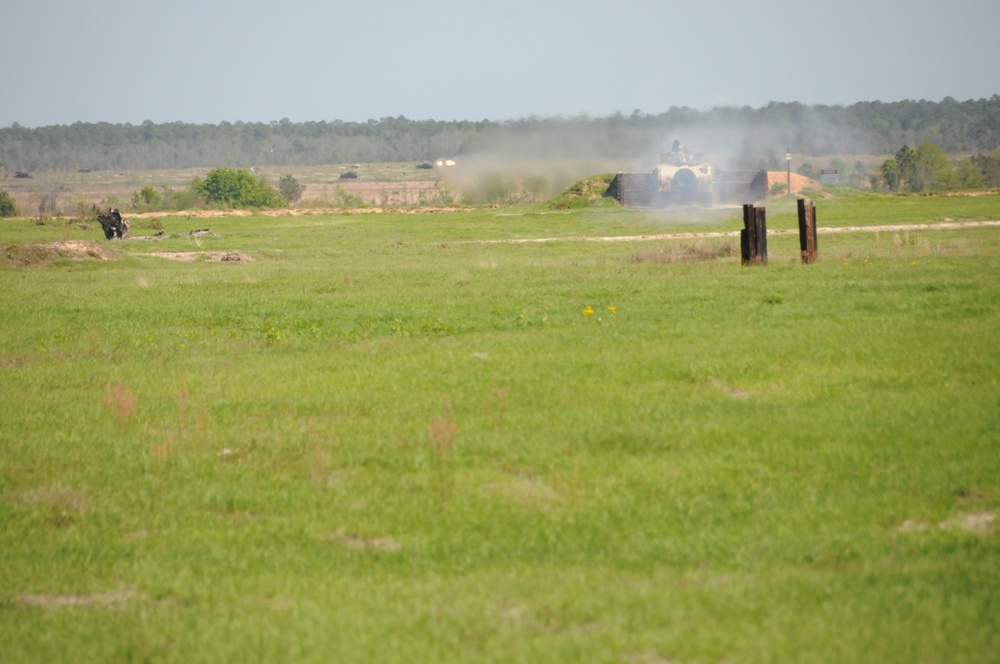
(536, 158)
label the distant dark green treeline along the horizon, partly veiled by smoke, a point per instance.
(745, 136)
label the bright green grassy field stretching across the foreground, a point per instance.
(390, 439)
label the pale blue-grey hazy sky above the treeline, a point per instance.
(209, 61)
